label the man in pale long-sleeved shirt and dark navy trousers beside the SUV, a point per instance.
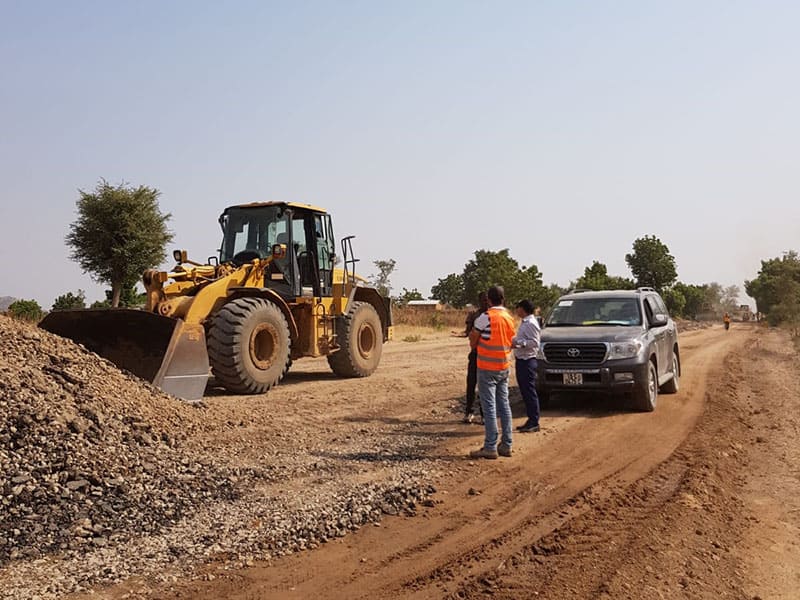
(526, 348)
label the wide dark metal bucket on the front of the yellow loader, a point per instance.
(164, 351)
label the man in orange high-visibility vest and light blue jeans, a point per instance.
(491, 336)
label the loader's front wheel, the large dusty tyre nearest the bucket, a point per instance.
(249, 346)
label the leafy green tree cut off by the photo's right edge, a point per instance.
(773, 287)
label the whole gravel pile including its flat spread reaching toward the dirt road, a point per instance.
(103, 477)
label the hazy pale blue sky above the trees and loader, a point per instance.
(560, 130)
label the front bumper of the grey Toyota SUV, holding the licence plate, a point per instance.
(617, 377)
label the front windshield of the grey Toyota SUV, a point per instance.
(573, 312)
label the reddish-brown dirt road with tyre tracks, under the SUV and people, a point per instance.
(699, 499)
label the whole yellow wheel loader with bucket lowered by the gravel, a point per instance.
(274, 295)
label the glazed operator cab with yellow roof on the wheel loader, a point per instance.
(250, 231)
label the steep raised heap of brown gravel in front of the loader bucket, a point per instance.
(88, 454)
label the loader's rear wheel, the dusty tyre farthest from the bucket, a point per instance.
(360, 337)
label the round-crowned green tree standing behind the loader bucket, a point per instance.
(120, 232)
